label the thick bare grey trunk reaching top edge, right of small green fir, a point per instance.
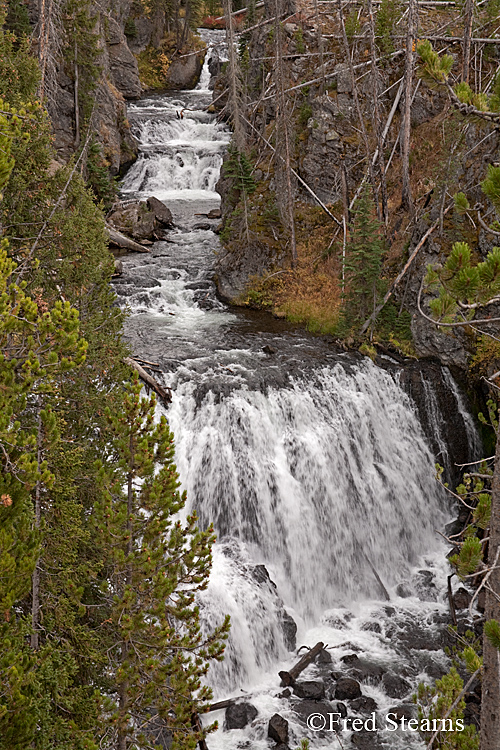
(406, 197)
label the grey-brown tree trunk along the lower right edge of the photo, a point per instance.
(490, 699)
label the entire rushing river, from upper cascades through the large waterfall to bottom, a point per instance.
(310, 462)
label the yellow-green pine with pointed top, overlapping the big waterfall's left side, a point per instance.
(154, 566)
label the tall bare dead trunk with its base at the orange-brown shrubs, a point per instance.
(285, 192)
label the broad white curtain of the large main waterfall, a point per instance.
(320, 480)
